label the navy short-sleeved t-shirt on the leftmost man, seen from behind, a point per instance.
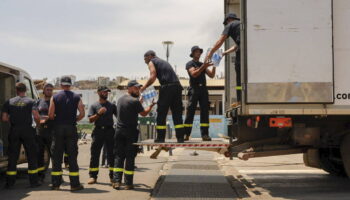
(20, 111)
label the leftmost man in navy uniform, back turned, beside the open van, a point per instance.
(18, 111)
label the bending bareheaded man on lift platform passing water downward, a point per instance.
(170, 95)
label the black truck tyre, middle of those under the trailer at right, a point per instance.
(330, 164)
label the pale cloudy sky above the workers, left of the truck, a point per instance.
(90, 38)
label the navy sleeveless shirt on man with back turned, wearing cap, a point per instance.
(66, 106)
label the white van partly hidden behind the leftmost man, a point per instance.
(9, 75)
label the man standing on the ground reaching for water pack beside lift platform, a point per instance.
(128, 109)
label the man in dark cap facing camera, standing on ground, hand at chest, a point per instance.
(102, 113)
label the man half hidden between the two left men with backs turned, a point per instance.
(44, 127)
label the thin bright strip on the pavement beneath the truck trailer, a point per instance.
(297, 171)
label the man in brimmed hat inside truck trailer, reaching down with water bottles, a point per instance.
(233, 30)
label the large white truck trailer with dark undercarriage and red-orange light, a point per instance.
(295, 75)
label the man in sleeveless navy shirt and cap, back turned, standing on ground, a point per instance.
(63, 110)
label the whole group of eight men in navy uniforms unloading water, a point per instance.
(56, 119)
